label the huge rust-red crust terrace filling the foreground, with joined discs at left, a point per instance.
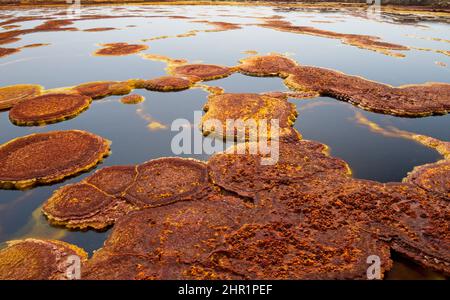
(304, 217)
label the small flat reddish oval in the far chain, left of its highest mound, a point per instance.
(204, 72)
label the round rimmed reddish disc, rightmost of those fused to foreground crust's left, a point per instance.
(166, 180)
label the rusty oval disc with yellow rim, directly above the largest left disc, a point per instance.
(49, 108)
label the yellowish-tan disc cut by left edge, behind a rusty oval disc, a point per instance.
(13, 94)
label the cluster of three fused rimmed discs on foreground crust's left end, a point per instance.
(100, 199)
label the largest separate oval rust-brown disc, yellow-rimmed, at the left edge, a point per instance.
(48, 157)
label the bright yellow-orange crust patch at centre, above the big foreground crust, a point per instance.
(247, 107)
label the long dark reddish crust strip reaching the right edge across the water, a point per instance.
(413, 100)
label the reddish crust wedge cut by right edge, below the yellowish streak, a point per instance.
(433, 177)
